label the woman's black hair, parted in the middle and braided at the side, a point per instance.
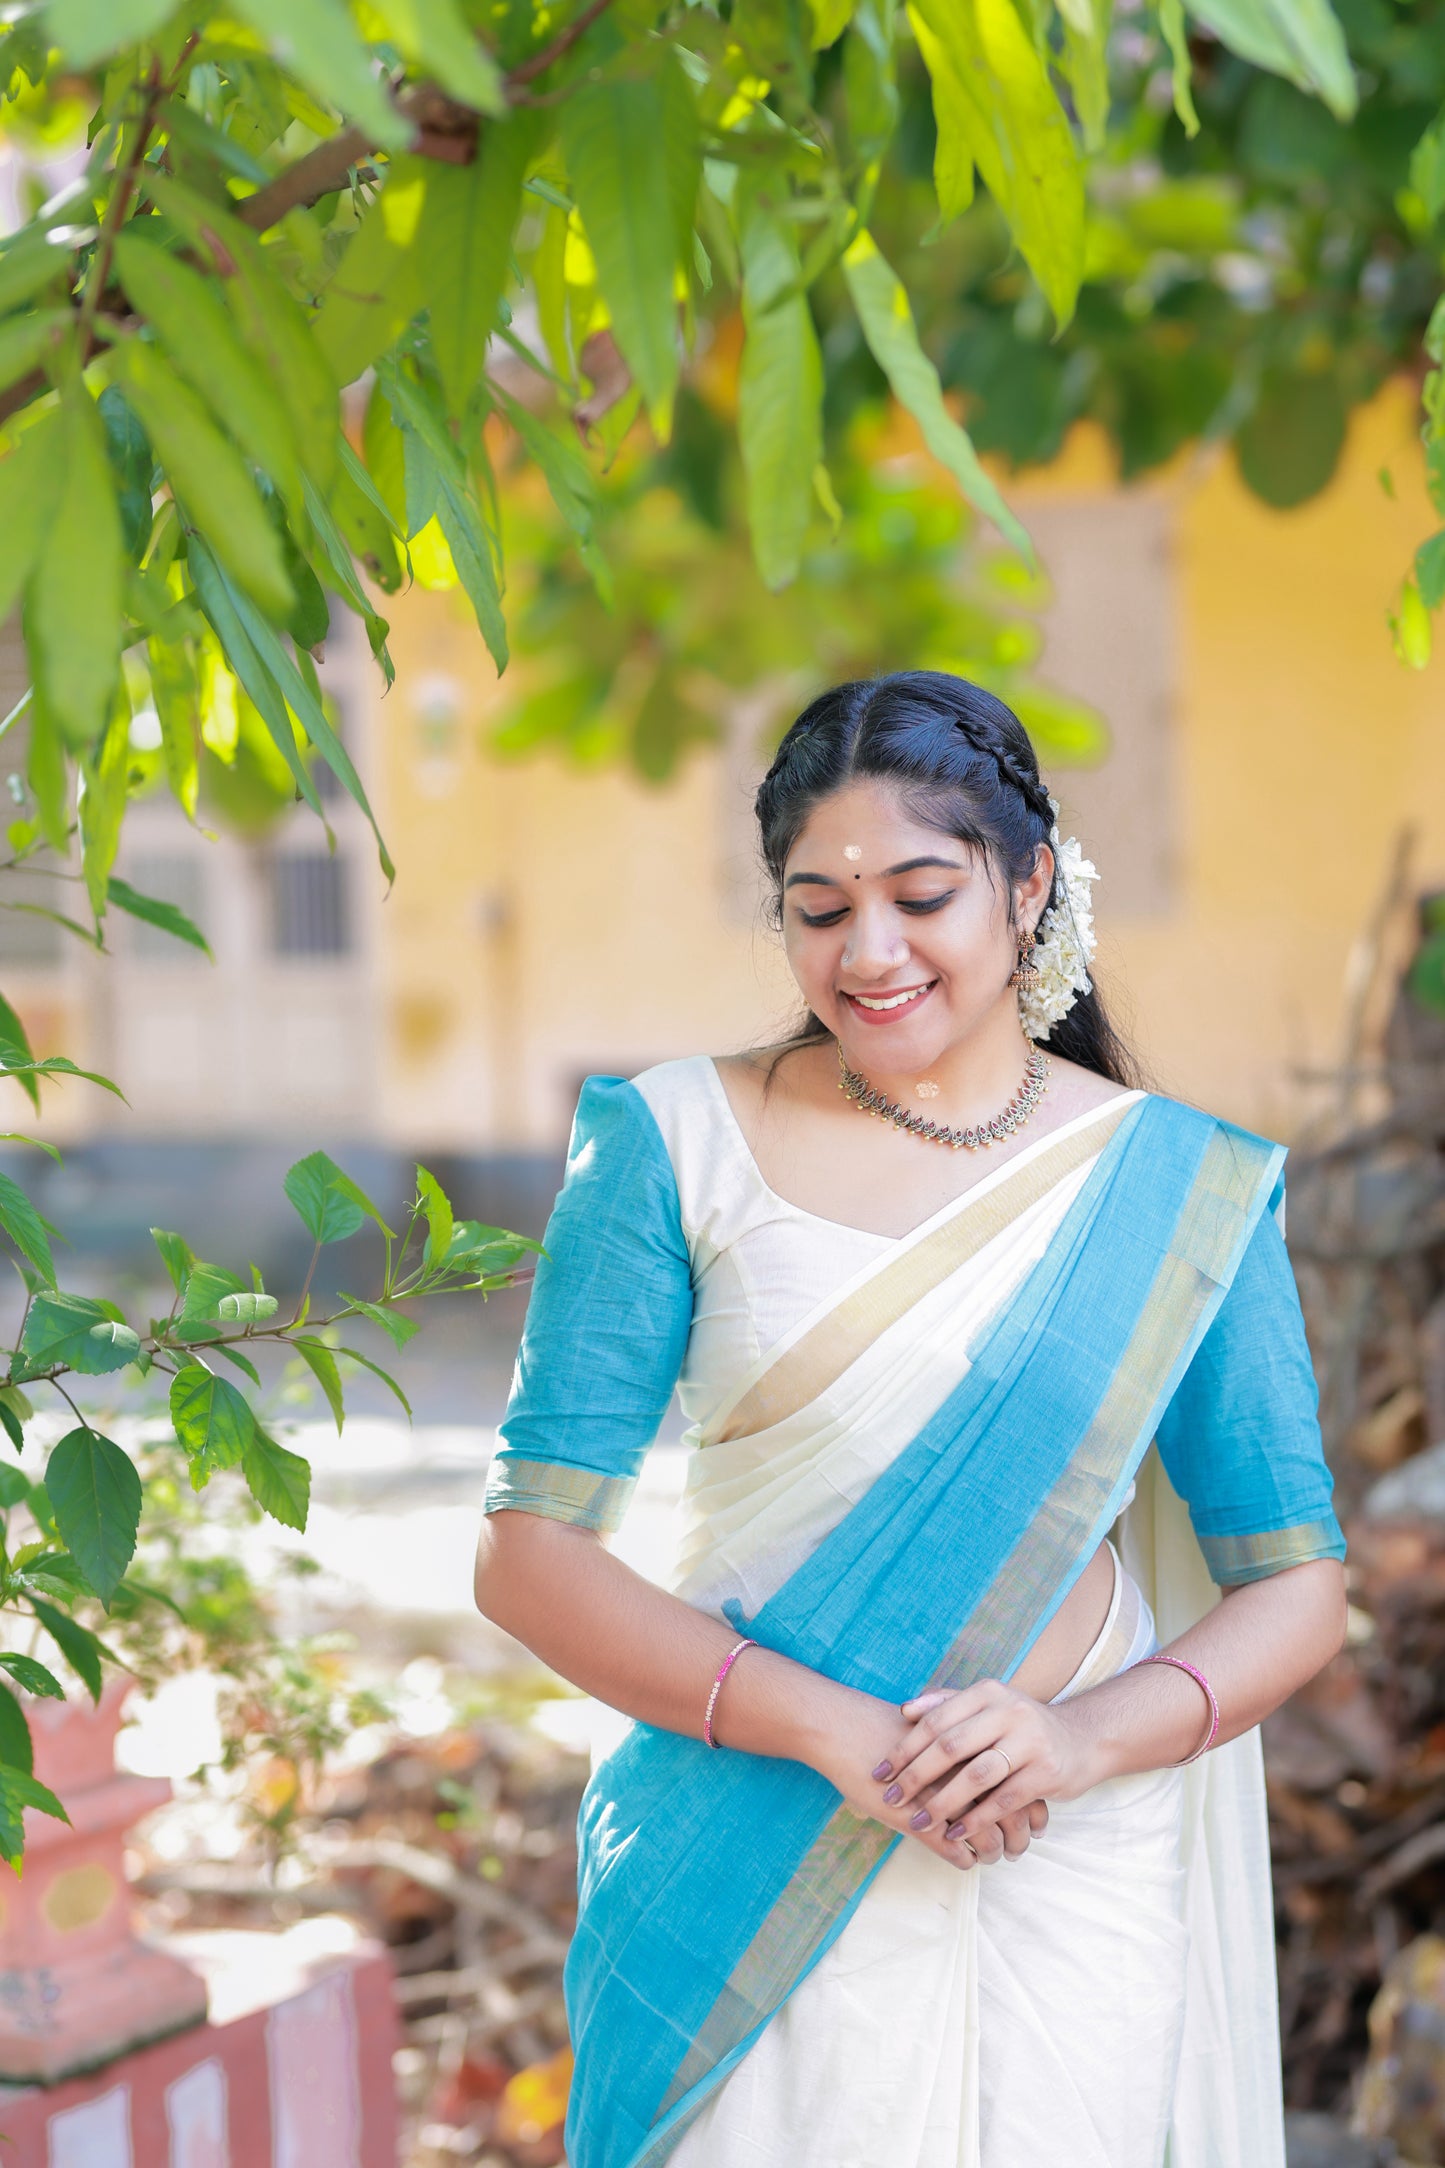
(963, 764)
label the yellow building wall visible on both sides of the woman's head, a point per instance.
(549, 922)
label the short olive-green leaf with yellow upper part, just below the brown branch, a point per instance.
(378, 287)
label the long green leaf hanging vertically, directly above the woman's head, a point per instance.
(781, 398)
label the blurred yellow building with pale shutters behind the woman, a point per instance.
(1268, 753)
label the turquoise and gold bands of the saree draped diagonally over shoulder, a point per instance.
(714, 1883)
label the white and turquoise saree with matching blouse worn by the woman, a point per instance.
(904, 1454)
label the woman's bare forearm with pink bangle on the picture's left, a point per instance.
(638, 1649)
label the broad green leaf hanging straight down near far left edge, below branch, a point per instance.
(75, 602)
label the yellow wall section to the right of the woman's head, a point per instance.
(1303, 751)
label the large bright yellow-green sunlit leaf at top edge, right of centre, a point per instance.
(993, 101)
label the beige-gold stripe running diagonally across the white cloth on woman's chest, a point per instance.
(835, 1343)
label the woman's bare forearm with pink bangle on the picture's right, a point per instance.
(1255, 1649)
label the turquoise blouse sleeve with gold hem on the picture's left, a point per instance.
(608, 1324)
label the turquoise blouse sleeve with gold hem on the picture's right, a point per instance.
(1240, 1441)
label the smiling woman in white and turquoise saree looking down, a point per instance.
(915, 1857)
